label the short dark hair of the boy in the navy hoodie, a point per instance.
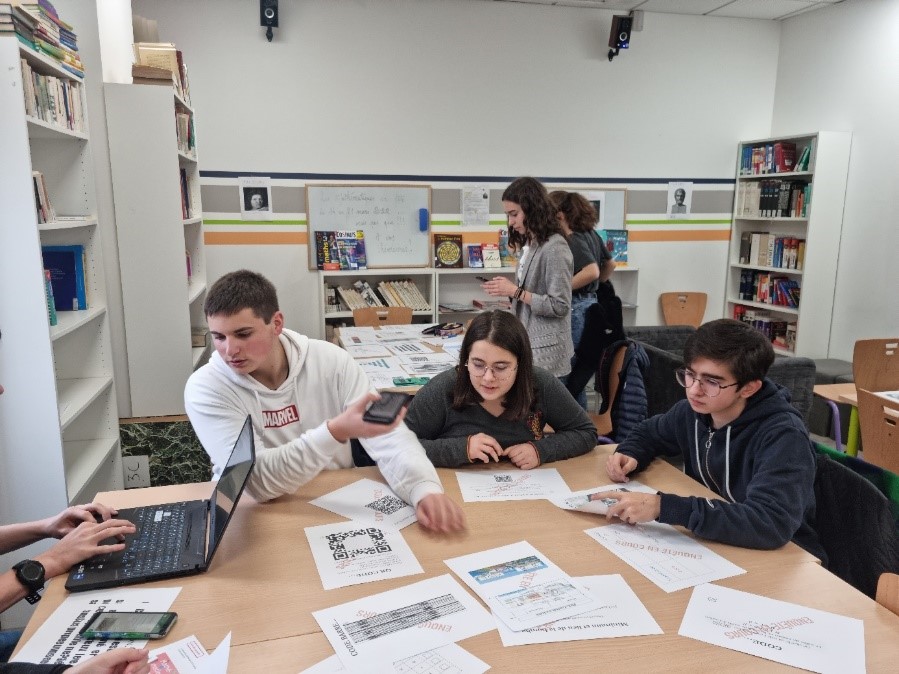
(745, 351)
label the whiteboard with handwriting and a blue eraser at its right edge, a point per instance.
(388, 214)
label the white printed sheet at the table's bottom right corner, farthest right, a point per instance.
(794, 635)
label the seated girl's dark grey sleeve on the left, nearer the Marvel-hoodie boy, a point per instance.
(426, 418)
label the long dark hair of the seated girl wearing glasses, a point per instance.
(504, 330)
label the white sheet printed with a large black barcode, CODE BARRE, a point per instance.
(369, 634)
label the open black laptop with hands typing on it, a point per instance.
(172, 539)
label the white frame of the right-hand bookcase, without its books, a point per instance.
(820, 227)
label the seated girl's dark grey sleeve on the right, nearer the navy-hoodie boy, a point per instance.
(573, 432)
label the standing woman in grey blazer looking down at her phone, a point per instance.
(542, 297)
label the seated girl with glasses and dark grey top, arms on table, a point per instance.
(495, 404)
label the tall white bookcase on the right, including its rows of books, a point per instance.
(816, 220)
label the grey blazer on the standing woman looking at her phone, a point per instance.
(546, 274)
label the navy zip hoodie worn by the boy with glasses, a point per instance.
(762, 464)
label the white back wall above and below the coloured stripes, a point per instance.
(456, 87)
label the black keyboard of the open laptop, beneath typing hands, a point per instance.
(157, 545)
